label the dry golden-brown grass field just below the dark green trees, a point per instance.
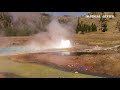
(98, 38)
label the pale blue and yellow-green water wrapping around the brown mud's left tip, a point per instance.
(32, 70)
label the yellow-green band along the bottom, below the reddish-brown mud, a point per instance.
(30, 70)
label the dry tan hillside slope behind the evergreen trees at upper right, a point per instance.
(110, 22)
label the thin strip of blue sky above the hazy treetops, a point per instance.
(67, 13)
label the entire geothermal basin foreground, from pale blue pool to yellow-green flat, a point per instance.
(87, 62)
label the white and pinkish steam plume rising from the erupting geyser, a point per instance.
(56, 33)
